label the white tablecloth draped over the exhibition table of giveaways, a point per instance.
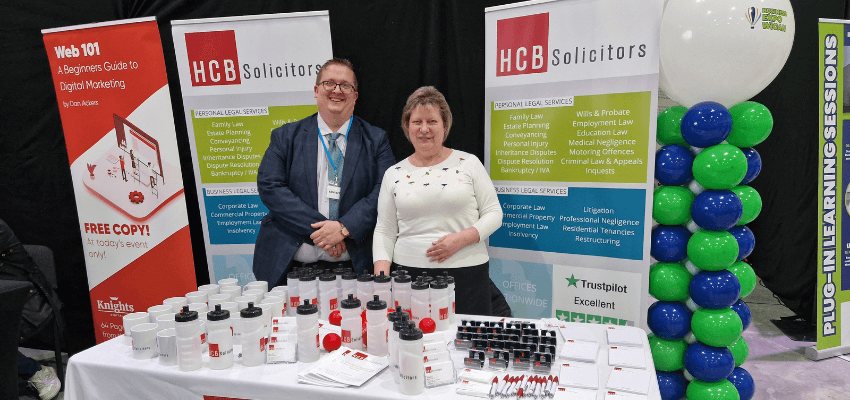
(109, 371)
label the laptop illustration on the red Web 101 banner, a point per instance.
(132, 175)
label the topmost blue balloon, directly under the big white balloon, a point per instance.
(706, 124)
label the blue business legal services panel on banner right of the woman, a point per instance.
(590, 221)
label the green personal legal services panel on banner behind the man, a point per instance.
(230, 145)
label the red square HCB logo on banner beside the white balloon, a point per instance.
(522, 44)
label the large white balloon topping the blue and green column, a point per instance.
(723, 50)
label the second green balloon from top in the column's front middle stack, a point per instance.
(712, 250)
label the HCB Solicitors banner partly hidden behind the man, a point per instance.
(241, 77)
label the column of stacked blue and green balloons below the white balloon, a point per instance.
(702, 208)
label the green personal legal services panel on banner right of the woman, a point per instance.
(599, 138)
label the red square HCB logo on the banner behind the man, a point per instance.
(212, 58)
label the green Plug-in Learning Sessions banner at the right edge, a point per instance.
(833, 283)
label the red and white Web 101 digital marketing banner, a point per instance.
(116, 113)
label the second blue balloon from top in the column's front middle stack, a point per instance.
(717, 210)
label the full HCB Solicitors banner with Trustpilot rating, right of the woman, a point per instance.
(571, 93)
